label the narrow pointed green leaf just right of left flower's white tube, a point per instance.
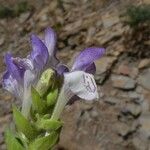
(38, 104)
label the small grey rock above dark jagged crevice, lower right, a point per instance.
(132, 109)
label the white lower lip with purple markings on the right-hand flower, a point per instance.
(81, 84)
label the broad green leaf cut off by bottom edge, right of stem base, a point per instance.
(44, 143)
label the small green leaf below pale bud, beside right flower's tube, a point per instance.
(52, 97)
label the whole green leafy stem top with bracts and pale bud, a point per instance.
(37, 131)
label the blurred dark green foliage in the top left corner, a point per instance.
(16, 10)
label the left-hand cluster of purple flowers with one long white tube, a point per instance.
(22, 73)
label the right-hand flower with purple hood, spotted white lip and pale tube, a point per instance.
(79, 81)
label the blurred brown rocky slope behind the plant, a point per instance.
(120, 120)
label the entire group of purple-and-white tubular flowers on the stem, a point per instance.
(21, 74)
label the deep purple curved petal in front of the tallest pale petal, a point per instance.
(39, 55)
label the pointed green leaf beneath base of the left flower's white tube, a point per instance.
(23, 125)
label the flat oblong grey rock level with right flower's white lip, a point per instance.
(123, 82)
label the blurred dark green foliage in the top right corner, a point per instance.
(138, 14)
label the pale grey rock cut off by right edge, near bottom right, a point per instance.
(144, 122)
